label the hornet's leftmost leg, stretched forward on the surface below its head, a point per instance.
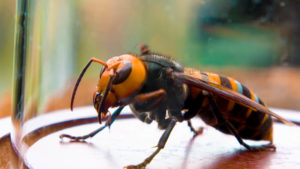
(107, 124)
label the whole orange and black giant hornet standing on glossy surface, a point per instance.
(158, 88)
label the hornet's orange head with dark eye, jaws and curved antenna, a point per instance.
(121, 77)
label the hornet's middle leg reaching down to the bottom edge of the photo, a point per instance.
(161, 144)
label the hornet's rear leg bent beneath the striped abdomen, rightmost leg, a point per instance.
(230, 127)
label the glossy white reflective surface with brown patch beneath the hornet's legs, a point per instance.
(129, 141)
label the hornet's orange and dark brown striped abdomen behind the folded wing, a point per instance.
(250, 124)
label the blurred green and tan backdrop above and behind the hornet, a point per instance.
(205, 34)
